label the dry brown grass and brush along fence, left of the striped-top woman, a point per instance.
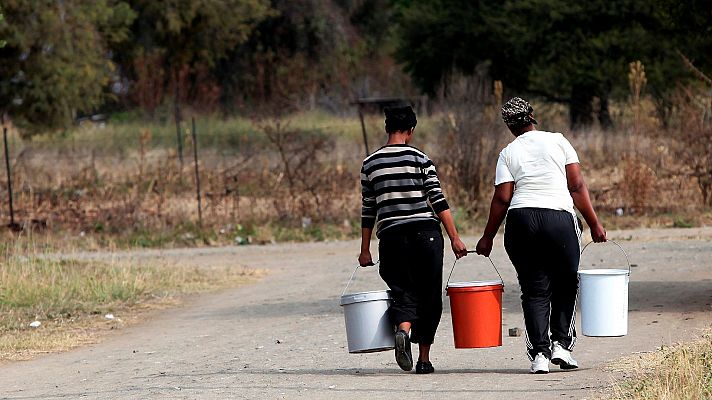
(98, 184)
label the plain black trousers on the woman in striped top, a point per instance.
(411, 264)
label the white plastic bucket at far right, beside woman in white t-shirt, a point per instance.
(604, 300)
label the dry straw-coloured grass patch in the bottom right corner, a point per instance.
(671, 373)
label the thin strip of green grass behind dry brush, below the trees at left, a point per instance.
(123, 133)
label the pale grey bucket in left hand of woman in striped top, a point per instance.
(368, 328)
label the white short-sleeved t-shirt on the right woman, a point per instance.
(536, 162)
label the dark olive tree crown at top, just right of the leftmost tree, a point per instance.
(190, 37)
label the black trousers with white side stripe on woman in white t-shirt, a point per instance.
(544, 247)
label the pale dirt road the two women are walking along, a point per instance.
(284, 336)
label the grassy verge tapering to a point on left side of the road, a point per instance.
(71, 298)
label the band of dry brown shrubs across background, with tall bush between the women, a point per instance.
(277, 175)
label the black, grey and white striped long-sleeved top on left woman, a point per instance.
(399, 184)
